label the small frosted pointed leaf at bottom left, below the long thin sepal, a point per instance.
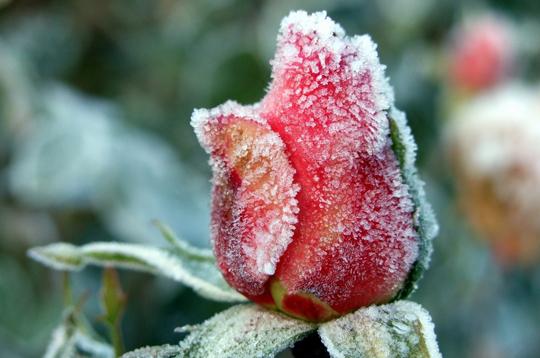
(71, 339)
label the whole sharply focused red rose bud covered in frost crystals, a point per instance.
(314, 213)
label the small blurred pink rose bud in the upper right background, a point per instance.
(482, 53)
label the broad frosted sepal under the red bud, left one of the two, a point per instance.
(243, 331)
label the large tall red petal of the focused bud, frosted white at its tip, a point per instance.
(355, 241)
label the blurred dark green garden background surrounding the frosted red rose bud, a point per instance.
(95, 142)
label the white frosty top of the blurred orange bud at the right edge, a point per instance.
(496, 138)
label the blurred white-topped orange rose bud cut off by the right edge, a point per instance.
(493, 142)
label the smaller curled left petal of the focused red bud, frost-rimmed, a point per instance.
(254, 206)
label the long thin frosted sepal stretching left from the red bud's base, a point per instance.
(196, 271)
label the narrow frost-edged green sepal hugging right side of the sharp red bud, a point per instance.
(404, 147)
